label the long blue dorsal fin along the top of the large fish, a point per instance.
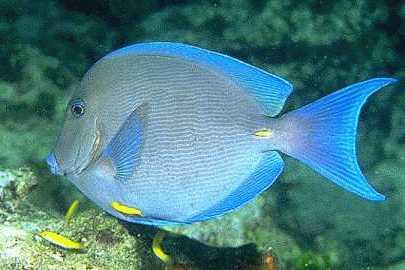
(269, 90)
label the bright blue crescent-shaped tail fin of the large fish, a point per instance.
(323, 136)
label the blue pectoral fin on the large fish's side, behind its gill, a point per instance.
(124, 147)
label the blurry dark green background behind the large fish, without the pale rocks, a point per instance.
(319, 46)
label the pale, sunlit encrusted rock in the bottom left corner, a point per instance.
(107, 243)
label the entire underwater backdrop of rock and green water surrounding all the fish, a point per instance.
(302, 222)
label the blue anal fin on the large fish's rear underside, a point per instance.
(267, 171)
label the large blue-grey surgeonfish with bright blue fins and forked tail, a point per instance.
(183, 134)
